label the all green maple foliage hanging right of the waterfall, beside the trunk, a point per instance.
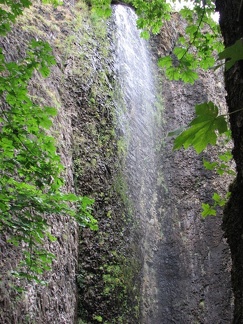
(198, 49)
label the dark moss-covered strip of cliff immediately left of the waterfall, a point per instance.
(107, 269)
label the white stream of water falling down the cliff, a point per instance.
(137, 113)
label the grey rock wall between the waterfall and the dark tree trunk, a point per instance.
(193, 260)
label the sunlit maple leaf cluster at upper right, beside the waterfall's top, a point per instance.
(196, 48)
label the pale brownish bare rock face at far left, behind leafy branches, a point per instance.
(55, 302)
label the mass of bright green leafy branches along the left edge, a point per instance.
(31, 182)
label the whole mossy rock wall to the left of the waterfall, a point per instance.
(93, 277)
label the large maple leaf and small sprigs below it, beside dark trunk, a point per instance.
(202, 131)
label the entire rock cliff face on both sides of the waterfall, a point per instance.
(97, 275)
